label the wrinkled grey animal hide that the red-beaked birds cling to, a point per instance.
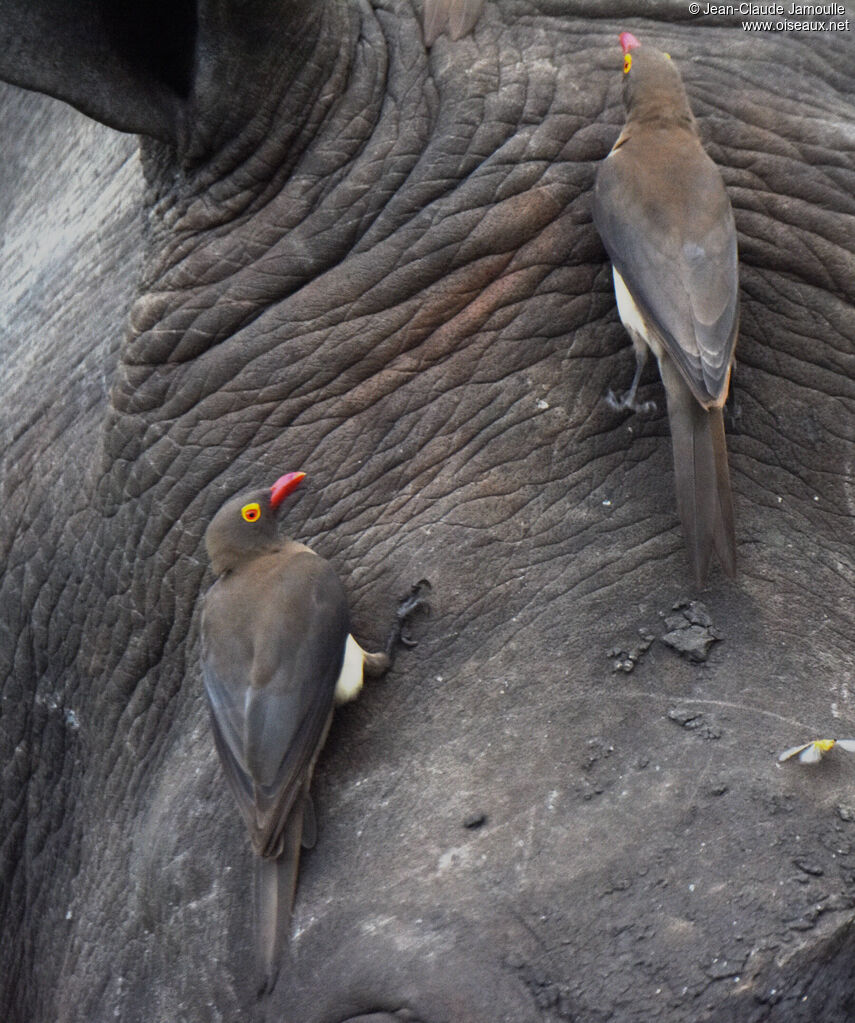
(387, 277)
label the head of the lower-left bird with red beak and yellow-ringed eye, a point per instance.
(246, 525)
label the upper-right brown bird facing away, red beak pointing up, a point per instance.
(666, 221)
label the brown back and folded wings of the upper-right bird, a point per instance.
(669, 232)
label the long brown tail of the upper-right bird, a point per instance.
(705, 503)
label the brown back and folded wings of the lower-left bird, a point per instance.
(274, 644)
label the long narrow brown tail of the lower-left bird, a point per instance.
(276, 888)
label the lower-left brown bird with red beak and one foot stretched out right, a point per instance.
(278, 655)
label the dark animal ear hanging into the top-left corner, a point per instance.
(168, 69)
